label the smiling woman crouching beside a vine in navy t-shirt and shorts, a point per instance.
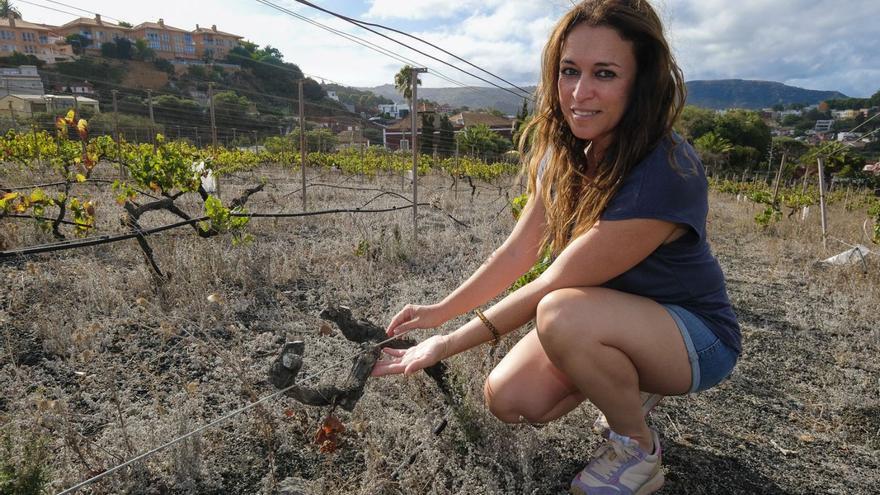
(634, 305)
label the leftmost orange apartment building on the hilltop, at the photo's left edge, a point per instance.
(42, 41)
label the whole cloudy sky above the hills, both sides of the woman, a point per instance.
(814, 44)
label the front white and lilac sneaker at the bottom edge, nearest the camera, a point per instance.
(621, 467)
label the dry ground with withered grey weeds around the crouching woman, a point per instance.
(101, 363)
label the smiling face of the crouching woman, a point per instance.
(596, 73)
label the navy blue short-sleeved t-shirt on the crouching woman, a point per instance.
(683, 272)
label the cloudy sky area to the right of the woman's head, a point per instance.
(801, 42)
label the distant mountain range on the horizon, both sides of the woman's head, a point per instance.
(720, 94)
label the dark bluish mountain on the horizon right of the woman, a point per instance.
(739, 93)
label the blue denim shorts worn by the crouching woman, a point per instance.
(711, 359)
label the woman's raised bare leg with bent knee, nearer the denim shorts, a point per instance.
(611, 345)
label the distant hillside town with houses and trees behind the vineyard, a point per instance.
(177, 65)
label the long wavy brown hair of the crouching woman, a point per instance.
(574, 201)
